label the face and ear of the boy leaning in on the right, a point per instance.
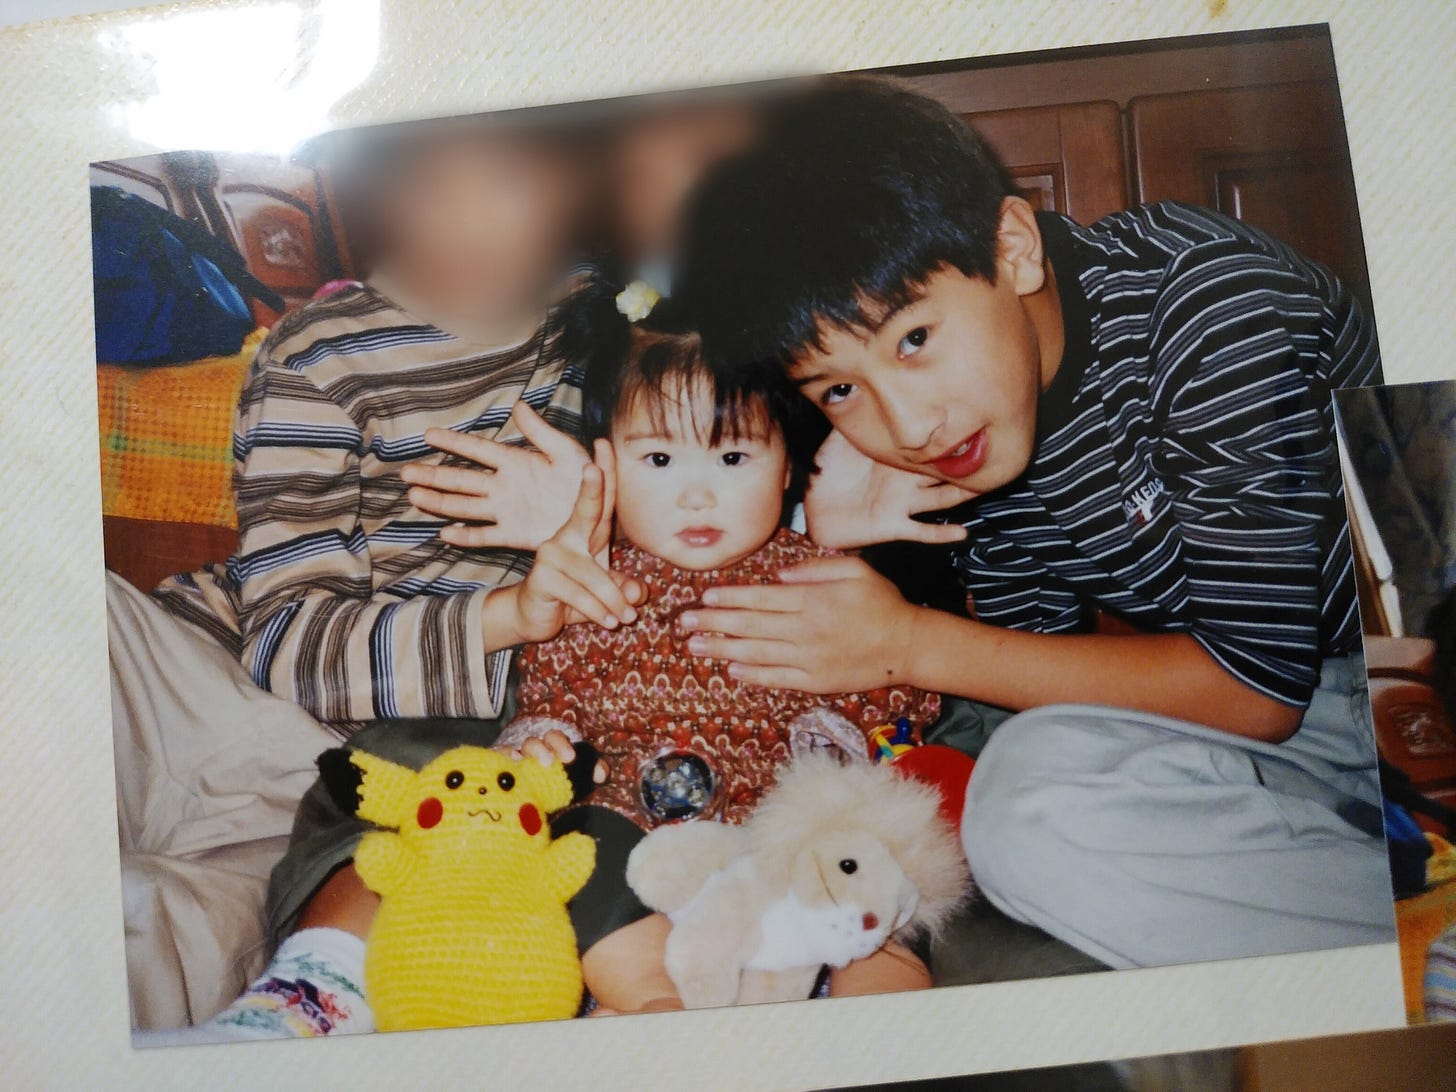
(949, 385)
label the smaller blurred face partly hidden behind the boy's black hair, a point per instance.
(659, 159)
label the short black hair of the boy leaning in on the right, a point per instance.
(857, 194)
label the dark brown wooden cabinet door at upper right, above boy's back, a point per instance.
(1272, 157)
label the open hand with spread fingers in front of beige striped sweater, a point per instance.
(521, 497)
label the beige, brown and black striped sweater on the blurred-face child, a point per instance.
(341, 596)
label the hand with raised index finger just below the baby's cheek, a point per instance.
(571, 580)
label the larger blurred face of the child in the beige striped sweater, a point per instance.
(478, 223)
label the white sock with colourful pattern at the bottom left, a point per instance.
(311, 988)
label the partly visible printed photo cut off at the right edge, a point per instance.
(1401, 487)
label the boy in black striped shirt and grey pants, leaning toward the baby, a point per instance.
(1138, 420)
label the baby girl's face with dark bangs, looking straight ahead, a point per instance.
(695, 505)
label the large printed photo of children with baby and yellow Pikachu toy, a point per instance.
(838, 537)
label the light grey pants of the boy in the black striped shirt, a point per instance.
(1147, 841)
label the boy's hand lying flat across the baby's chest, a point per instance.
(832, 625)
